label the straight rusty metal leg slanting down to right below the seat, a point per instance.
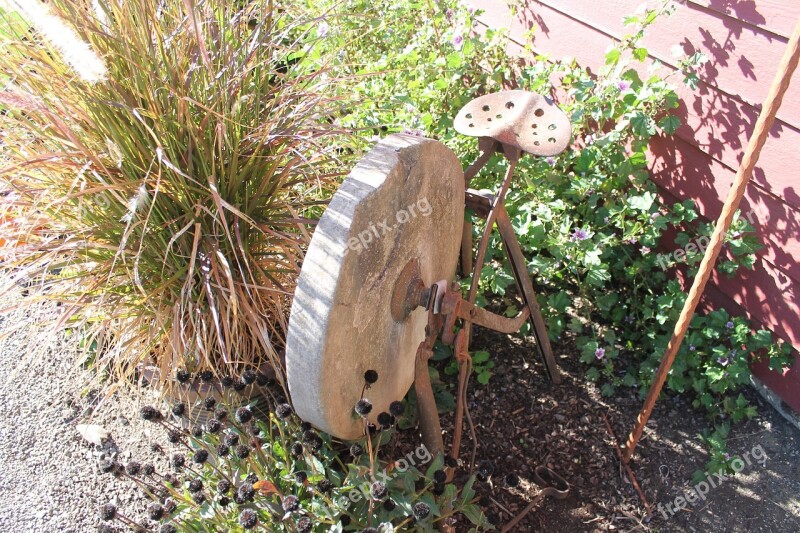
(520, 268)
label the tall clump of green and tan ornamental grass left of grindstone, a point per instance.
(162, 158)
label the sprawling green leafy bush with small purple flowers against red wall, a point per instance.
(591, 220)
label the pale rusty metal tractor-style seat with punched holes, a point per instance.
(527, 120)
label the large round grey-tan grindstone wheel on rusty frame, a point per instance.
(403, 201)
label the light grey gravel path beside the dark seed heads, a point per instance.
(49, 479)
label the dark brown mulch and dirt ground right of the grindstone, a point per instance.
(522, 421)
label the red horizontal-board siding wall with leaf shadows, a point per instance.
(744, 41)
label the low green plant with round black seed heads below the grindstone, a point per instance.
(244, 469)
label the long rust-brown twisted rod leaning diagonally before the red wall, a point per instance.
(765, 120)
